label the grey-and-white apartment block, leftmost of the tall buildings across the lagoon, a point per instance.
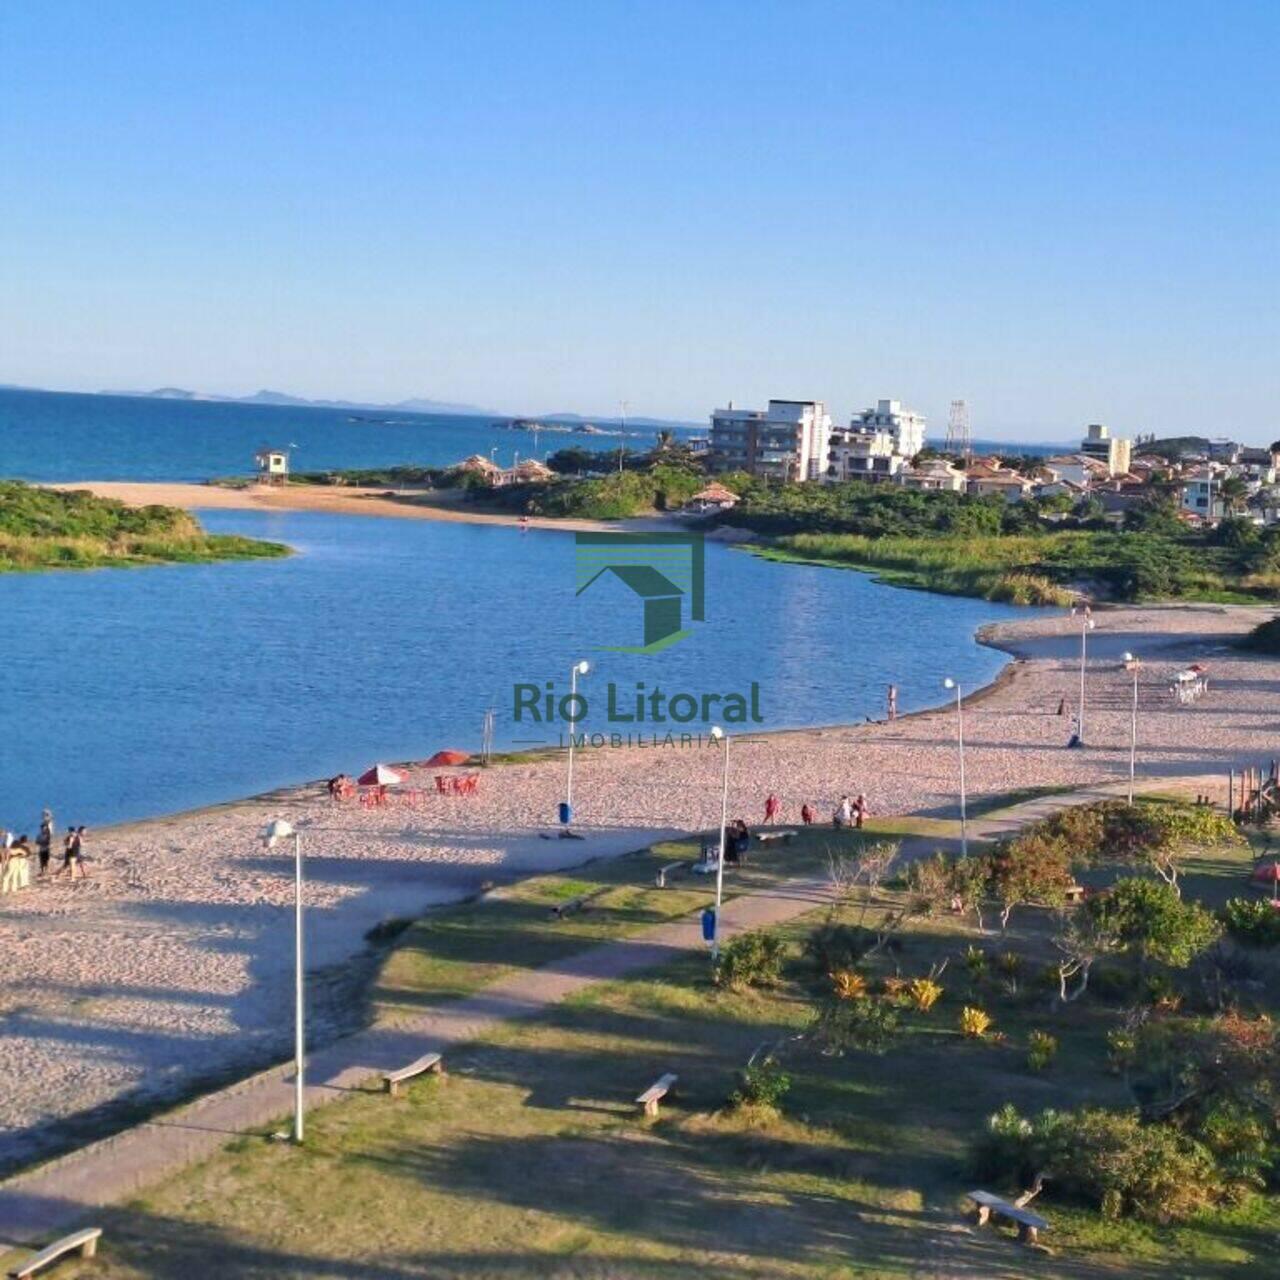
(784, 442)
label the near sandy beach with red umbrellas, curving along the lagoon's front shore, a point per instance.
(172, 962)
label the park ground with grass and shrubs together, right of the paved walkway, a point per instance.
(820, 1130)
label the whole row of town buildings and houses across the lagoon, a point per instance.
(797, 441)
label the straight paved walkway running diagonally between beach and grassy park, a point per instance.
(40, 1204)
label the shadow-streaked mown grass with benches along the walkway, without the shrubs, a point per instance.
(532, 1160)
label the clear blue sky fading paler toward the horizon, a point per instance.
(1066, 213)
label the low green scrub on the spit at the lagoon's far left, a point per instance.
(53, 529)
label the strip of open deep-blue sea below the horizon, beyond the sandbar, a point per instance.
(56, 437)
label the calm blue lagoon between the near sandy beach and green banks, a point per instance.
(130, 693)
